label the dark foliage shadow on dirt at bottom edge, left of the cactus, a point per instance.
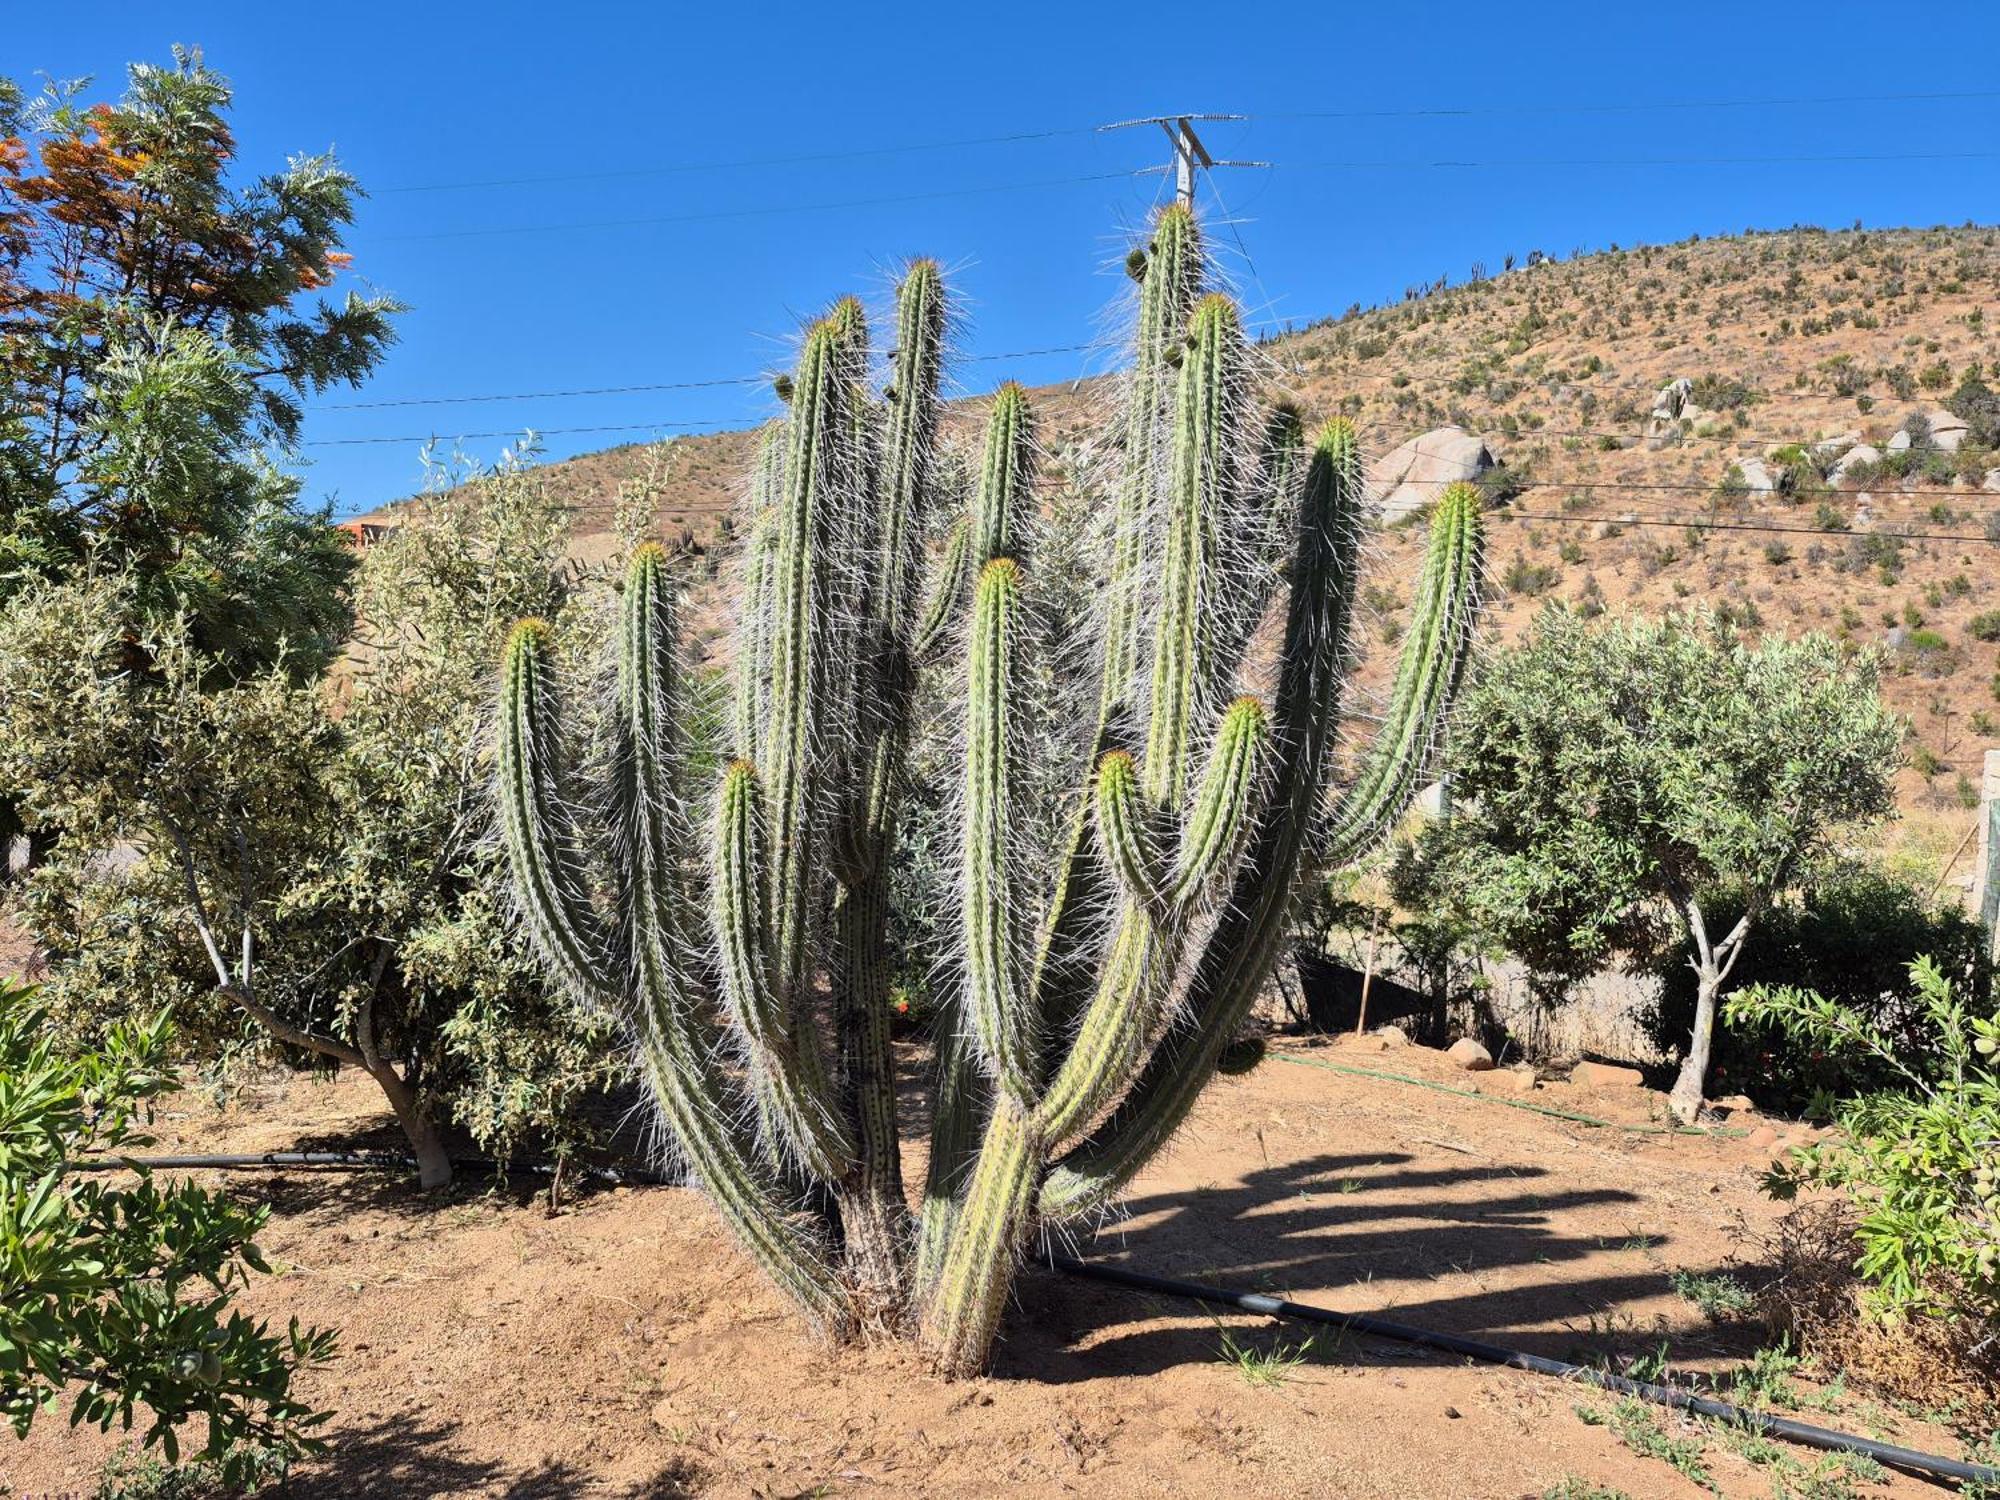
(411, 1457)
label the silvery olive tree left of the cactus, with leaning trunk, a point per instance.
(311, 857)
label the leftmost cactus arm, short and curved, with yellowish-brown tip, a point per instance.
(541, 841)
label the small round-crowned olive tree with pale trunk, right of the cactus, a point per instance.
(1613, 785)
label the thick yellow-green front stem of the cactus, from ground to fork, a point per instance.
(971, 1289)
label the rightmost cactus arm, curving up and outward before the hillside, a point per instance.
(1427, 679)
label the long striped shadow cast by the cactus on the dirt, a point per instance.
(1315, 1227)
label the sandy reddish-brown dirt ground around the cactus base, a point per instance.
(623, 1349)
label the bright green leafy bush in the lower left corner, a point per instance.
(121, 1293)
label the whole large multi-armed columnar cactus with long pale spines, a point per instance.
(1101, 949)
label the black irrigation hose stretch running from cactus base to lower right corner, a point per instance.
(1473, 1349)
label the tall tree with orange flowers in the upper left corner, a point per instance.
(161, 325)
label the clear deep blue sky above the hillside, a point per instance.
(703, 273)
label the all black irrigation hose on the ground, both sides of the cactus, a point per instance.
(1273, 1307)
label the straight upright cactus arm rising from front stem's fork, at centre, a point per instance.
(1005, 1031)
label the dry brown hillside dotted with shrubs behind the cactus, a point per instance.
(1789, 339)
